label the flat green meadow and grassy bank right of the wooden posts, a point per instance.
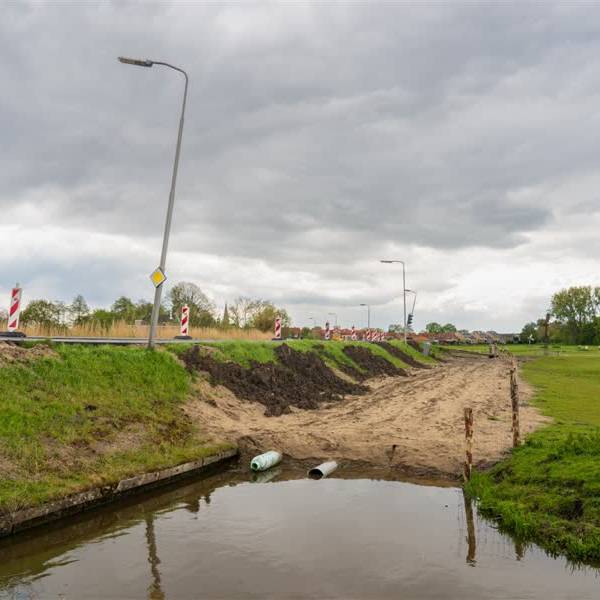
(548, 491)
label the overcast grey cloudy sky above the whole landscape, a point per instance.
(319, 138)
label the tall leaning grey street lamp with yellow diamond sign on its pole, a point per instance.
(163, 256)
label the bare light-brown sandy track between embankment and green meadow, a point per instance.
(410, 423)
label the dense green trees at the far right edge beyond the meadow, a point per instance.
(574, 318)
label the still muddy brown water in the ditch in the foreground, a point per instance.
(279, 537)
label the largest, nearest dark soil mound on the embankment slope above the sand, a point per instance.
(300, 379)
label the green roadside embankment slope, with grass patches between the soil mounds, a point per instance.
(83, 416)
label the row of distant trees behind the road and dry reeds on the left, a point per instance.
(244, 312)
